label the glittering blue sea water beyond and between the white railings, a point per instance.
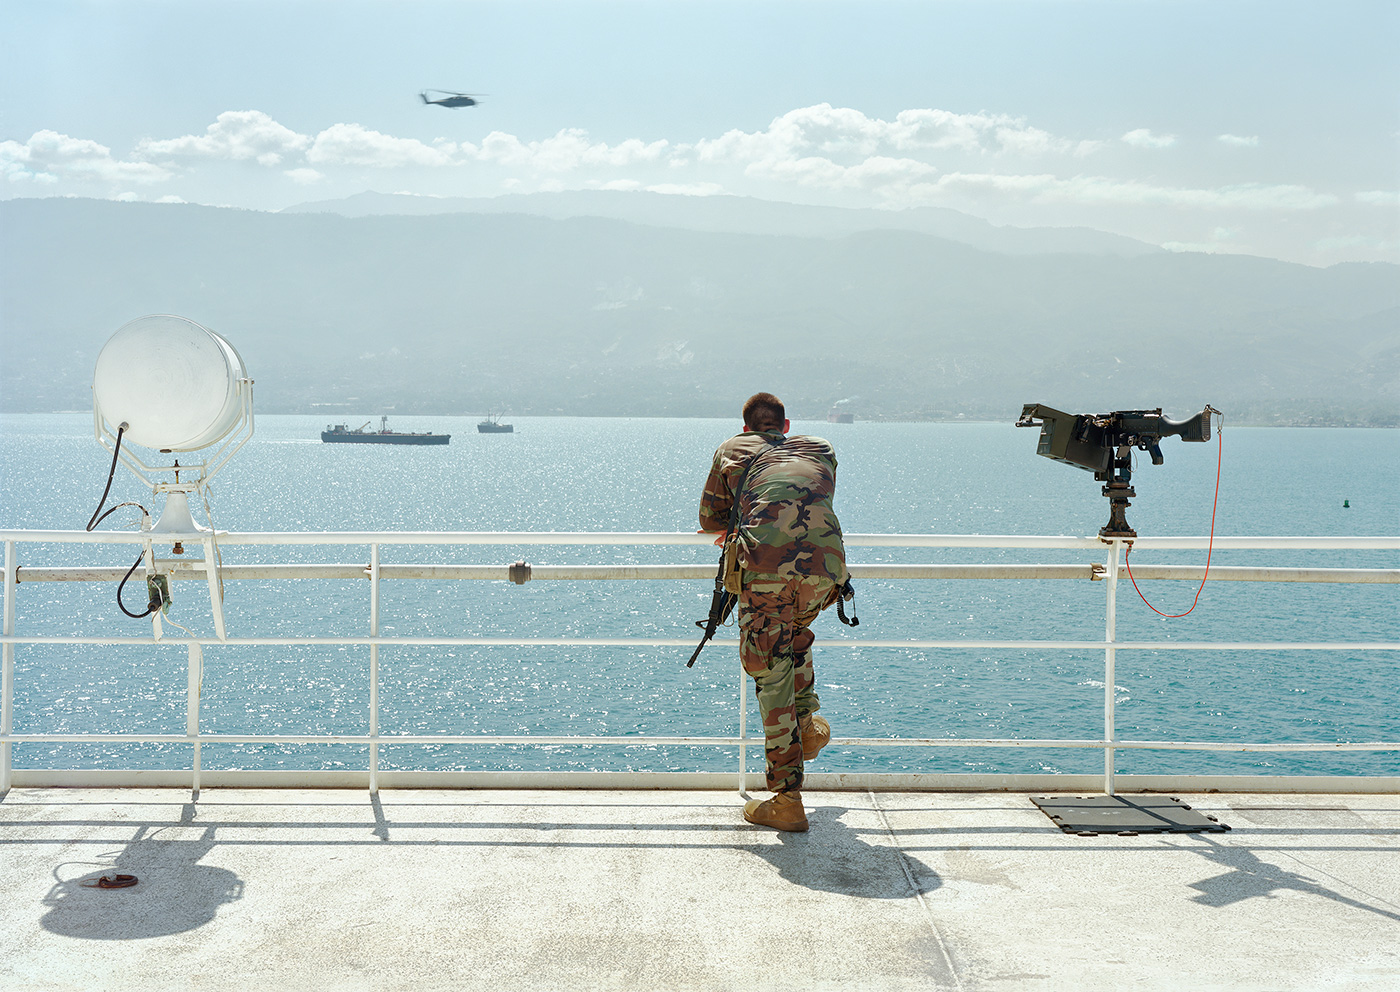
(646, 476)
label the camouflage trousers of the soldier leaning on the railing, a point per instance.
(776, 651)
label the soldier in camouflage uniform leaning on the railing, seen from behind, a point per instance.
(794, 567)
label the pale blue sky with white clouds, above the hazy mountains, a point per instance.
(1255, 127)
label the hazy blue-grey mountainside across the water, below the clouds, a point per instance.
(465, 313)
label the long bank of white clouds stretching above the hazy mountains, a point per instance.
(993, 164)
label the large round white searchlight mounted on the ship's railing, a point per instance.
(173, 385)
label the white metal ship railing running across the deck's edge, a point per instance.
(1108, 570)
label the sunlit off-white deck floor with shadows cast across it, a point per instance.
(506, 891)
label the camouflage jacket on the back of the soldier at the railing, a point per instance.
(787, 525)
